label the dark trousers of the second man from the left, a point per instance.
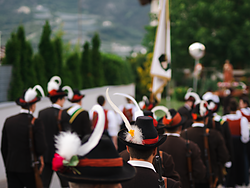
(47, 175)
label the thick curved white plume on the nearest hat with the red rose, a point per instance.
(97, 133)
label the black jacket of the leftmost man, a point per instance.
(15, 146)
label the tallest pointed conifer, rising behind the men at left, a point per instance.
(46, 50)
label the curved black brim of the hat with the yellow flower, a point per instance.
(122, 134)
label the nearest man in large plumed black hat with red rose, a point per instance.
(92, 162)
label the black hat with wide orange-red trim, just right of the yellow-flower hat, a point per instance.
(172, 122)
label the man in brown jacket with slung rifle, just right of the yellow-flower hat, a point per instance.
(186, 154)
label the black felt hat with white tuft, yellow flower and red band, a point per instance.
(145, 135)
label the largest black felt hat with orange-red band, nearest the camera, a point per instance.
(102, 165)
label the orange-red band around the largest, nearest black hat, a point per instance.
(116, 162)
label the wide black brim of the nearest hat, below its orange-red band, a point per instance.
(124, 173)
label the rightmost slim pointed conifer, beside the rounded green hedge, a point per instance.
(98, 73)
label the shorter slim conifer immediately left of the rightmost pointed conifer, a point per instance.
(86, 67)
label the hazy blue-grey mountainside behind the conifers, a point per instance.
(120, 23)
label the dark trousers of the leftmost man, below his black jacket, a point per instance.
(20, 180)
